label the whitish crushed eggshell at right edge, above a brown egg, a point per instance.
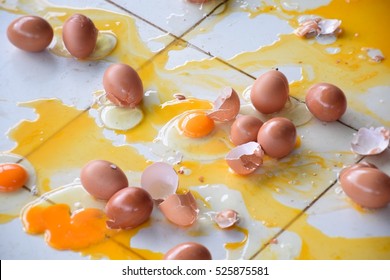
(371, 141)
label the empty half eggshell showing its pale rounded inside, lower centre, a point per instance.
(160, 180)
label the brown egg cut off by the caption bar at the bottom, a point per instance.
(188, 251)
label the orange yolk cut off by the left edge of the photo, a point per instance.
(12, 177)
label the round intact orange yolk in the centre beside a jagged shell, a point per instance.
(196, 124)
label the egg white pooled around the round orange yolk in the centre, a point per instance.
(211, 147)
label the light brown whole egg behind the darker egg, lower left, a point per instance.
(102, 179)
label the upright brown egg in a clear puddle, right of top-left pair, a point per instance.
(79, 35)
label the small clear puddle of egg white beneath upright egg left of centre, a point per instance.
(120, 118)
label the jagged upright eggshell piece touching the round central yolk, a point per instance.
(226, 106)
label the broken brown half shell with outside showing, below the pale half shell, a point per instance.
(180, 209)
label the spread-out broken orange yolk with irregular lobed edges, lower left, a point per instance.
(64, 230)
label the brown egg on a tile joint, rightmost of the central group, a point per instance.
(326, 102)
